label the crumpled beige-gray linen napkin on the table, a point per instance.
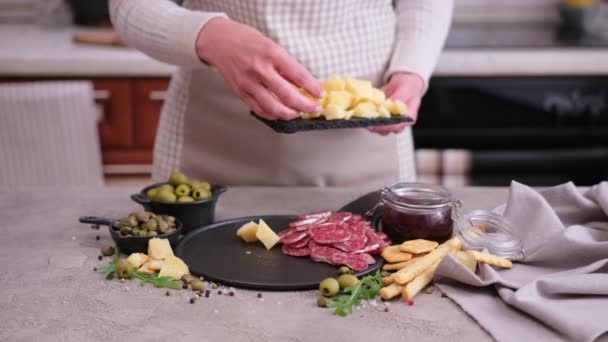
(560, 290)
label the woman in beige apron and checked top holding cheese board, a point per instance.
(233, 53)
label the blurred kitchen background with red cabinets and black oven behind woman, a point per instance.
(520, 92)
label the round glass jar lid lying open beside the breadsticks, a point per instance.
(486, 229)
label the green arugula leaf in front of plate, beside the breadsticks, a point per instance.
(367, 288)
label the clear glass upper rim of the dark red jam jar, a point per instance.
(418, 195)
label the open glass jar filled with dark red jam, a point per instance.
(417, 211)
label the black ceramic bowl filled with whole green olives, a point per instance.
(191, 214)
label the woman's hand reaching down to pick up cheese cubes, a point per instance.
(259, 71)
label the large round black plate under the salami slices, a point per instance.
(216, 253)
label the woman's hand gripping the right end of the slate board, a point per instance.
(409, 88)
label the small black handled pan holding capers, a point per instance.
(133, 244)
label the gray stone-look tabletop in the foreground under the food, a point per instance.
(50, 291)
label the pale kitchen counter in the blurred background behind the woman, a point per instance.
(35, 51)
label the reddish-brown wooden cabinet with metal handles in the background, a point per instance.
(128, 111)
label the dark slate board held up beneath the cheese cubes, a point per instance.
(297, 125)
